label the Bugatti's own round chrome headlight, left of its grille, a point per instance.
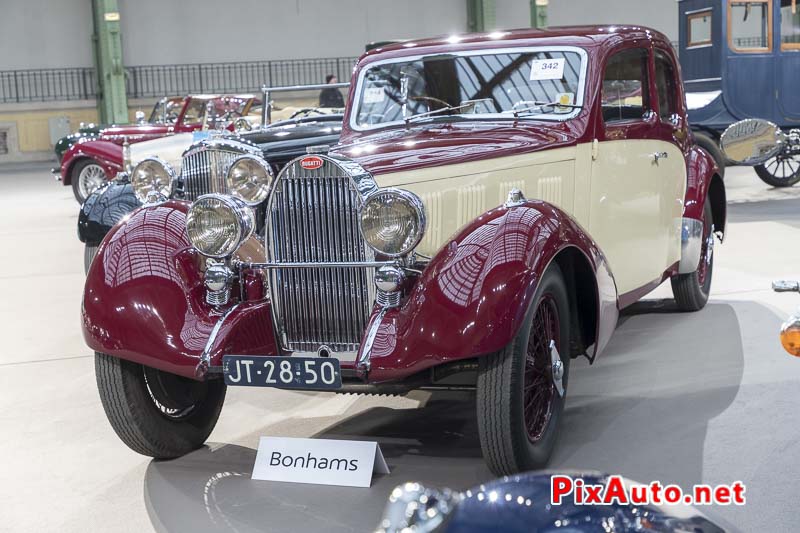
(217, 224)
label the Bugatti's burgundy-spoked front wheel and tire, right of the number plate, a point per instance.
(518, 406)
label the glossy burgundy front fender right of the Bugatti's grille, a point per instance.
(472, 298)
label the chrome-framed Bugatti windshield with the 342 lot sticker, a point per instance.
(472, 85)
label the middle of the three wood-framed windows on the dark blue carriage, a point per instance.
(750, 25)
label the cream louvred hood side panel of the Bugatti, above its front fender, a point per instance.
(455, 195)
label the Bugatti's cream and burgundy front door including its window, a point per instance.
(627, 211)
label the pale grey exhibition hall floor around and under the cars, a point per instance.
(707, 397)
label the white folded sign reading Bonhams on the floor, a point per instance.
(320, 461)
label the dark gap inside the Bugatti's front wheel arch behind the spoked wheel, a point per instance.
(583, 299)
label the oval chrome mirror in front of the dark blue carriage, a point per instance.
(752, 141)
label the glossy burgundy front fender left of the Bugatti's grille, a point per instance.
(144, 299)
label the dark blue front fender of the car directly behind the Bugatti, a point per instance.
(103, 209)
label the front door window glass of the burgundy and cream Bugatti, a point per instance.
(625, 87)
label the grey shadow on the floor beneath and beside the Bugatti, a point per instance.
(642, 411)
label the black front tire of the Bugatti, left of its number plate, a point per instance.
(156, 413)
